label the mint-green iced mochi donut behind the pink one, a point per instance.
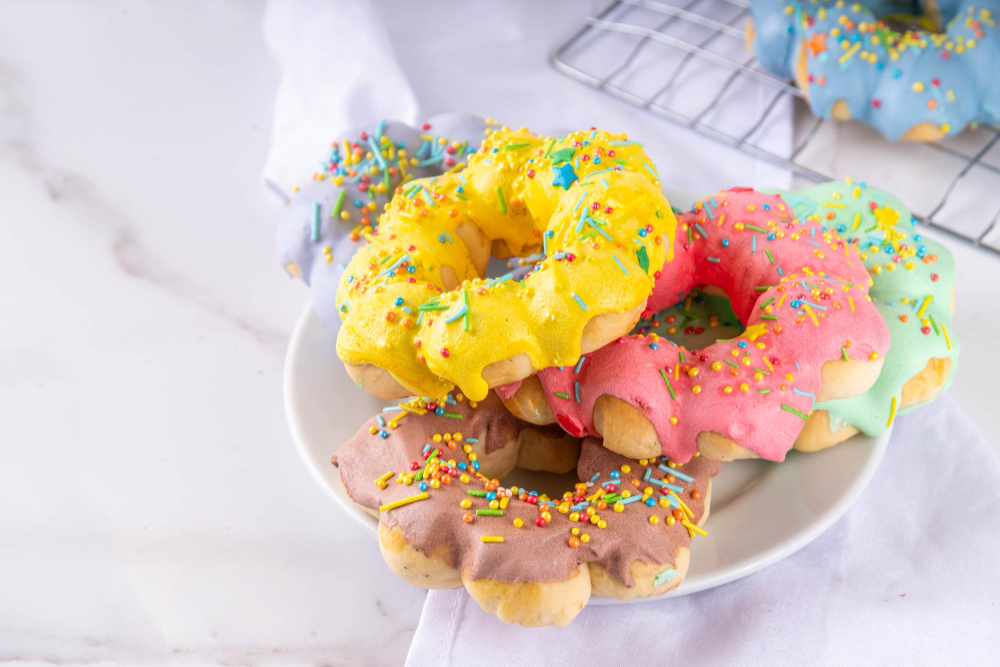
(913, 287)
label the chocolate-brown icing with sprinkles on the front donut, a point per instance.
(515, 542)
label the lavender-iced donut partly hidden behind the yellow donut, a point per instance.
(319, 230)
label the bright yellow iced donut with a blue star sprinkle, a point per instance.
(420, 319)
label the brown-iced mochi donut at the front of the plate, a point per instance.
(433, 474)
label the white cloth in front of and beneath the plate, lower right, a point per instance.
(908, 576)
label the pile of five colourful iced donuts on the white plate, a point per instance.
(632, 345)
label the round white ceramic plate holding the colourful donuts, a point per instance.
(761, 512)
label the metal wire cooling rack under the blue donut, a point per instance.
(661, 55)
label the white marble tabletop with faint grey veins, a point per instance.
(152, 507)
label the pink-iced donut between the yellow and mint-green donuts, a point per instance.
(810, 332)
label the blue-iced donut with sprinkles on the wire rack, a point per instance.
(911, 78)
